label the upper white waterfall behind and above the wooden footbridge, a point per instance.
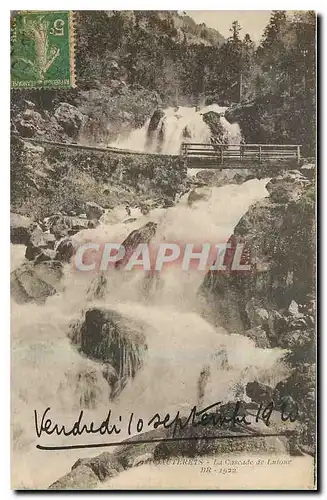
(177, 125)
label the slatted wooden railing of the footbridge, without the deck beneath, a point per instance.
(220, 153)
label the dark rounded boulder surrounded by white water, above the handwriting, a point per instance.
(115, 340)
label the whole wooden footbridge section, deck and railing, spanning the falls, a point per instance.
(223, 156)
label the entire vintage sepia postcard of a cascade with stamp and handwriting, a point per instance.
(163, 250)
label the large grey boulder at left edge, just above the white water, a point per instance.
(34, 283)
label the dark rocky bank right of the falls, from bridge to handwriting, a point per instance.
(273, 304)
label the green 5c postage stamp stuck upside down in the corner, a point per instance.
(42, 50)
